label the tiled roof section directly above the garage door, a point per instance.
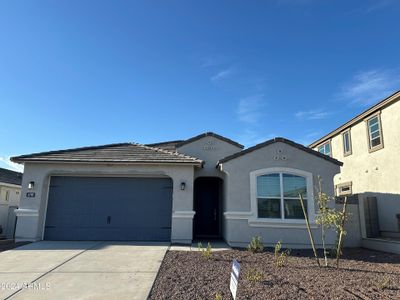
(112, 153)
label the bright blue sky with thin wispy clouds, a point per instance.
(79, 73)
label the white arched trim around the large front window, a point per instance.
(256, 221)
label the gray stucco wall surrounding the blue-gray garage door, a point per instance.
(32, 211)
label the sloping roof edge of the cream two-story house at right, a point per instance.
(380, 105)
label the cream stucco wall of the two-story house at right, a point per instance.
(374, 173)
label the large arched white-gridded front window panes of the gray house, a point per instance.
(278, 196)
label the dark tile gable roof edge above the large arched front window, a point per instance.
(282, 140)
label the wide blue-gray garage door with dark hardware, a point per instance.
(109, 208)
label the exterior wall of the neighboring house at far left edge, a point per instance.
(13, 200)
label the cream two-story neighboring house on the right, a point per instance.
(369, 147)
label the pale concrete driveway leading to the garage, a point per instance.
(80, 270)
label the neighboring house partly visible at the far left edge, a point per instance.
(10, 193)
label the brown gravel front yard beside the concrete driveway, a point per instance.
(363, 274)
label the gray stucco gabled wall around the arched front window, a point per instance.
(239, 218)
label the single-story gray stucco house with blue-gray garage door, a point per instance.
(203, 187)
